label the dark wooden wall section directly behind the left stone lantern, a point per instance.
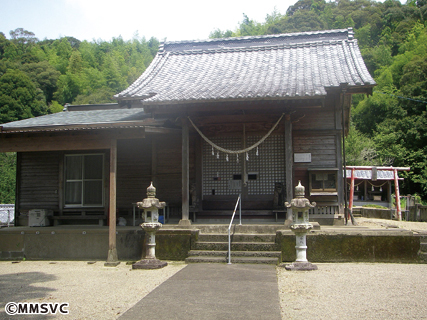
(156, 158)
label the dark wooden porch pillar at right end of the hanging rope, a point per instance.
(289, 164)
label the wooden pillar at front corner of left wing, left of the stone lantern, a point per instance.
(112, 259)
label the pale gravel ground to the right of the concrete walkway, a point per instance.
(354, 291)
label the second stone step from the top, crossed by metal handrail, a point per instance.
(239, 246)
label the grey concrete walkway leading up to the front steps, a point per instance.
(213, 291)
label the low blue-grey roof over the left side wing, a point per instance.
(76, 118)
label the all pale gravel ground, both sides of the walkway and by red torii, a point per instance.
(335, 291)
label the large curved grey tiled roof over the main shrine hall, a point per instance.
(262, 67)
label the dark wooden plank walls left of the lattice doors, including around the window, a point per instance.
(40, 174)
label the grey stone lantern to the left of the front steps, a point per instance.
(151, 206)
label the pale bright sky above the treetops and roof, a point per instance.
(173, 20)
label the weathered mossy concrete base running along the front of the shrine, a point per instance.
(173, 242)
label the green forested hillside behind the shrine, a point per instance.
(388, 128)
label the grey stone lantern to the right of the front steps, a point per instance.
(300, 226)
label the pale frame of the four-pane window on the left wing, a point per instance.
(82, 180)
